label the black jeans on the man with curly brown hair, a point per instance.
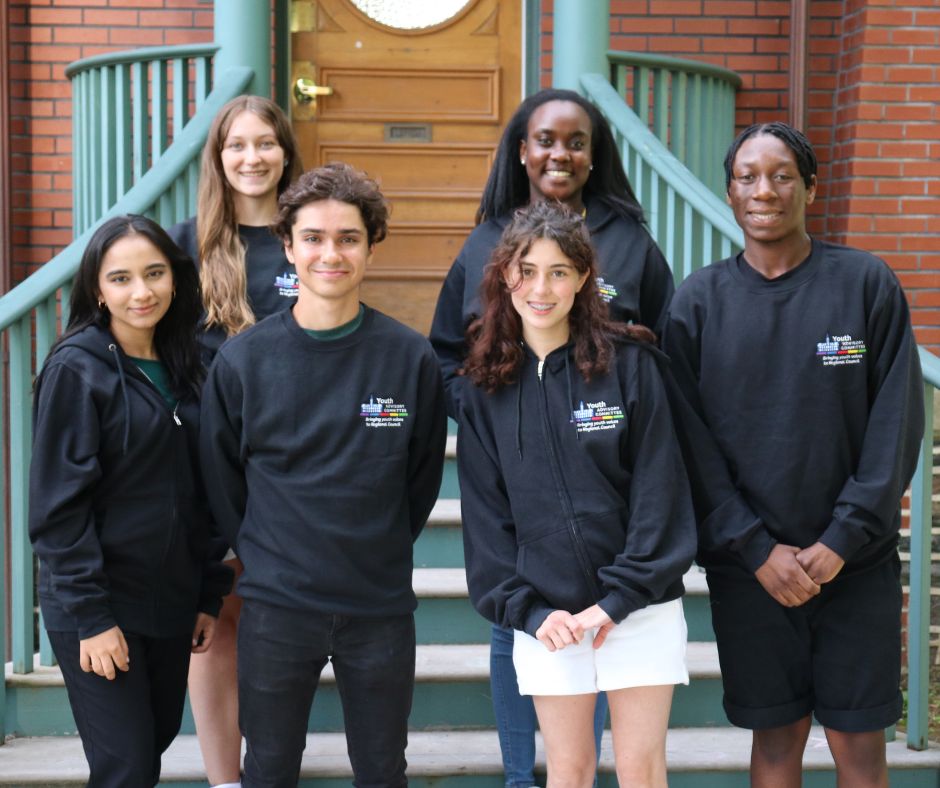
(280, 656)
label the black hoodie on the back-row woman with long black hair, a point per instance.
(634, 279)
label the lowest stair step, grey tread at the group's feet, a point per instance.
(712, 758)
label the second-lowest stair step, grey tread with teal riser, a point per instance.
(452, 691)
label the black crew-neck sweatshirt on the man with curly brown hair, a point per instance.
(323, 460)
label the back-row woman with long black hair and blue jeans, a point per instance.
(556, 146)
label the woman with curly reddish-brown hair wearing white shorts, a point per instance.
(583, 562)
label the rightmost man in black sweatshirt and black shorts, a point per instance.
(798, 355)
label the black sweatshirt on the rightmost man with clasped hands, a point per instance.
(810, 387)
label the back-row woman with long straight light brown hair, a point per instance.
(250, 157)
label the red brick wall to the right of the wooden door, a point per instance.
(872, 83)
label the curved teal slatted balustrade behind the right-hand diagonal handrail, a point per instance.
(687, 104)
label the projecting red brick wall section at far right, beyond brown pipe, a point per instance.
(885, 149)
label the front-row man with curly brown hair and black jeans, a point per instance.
(323, 443)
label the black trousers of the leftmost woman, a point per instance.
(126, 724)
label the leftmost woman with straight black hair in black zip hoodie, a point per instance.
(117, 513)
